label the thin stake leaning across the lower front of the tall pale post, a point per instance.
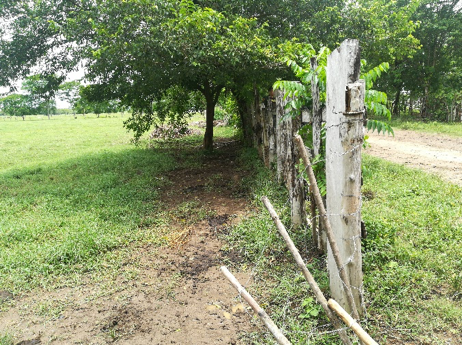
(330, 234)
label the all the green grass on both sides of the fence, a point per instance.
(75, 195)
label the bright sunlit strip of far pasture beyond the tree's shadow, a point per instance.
(40, 141)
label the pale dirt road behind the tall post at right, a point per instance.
(434, 153)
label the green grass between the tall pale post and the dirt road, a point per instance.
(412, 259)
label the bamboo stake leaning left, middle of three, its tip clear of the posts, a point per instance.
(298, 259)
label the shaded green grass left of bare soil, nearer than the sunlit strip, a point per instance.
(58, 219)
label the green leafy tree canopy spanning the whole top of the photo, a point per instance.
(140, 51)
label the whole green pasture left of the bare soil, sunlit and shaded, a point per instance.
(72, 190)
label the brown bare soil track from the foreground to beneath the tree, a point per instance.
(170, 295)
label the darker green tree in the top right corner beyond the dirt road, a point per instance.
(433, 76)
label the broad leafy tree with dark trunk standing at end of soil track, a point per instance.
(189, 47)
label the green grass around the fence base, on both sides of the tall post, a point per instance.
(411, 256)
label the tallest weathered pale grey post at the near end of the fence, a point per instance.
(344, 123)
